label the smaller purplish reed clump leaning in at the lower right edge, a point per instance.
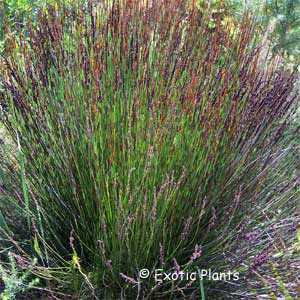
(268, 248)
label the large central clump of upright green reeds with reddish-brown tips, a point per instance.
(140, 131)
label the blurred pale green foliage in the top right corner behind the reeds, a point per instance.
(285, 37)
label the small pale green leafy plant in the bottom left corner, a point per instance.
(14, 279)
